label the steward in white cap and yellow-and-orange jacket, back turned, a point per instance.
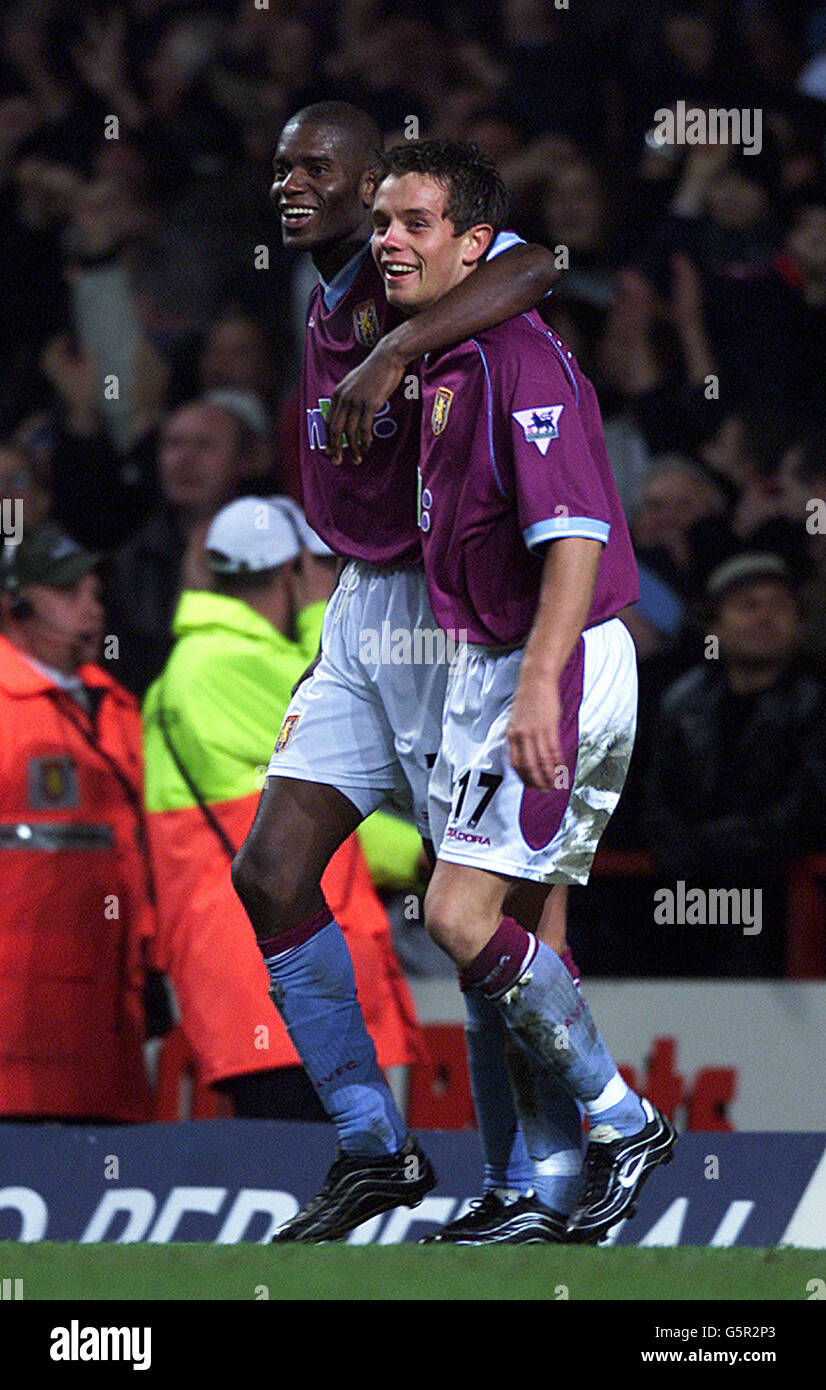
(211, 722)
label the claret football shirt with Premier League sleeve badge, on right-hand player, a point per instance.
(514, 457)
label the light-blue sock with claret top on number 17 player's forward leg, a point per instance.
(539, 1000)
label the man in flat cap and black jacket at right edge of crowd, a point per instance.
(736, 780)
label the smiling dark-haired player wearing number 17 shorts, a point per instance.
(528, 551)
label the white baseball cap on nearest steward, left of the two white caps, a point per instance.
(251, 536)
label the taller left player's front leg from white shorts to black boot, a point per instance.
(333, 765)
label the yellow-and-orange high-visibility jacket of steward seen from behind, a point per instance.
(223, 697)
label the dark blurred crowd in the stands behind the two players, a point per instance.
(152, 327)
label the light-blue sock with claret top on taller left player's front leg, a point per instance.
(315, 990)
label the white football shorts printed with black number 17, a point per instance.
(480, 811)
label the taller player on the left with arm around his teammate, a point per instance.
(359, 730)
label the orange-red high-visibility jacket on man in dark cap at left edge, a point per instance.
(76, 903)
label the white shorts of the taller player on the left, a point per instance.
(369, 719)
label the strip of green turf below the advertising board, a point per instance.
(398, 1273)
